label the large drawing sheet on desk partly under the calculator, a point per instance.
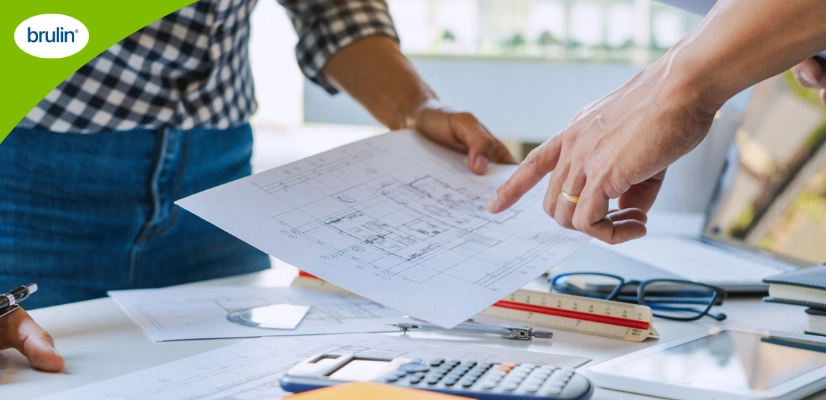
(251, 370)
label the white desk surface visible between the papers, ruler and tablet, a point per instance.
(100, 341)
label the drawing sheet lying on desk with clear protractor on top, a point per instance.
(201, 313)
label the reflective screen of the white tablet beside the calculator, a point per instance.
(732, 359)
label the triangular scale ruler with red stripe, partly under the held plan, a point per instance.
(551, 310)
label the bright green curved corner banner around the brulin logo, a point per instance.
(28, 79)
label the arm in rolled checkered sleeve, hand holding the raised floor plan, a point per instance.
(351, 45)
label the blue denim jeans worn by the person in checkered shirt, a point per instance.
(83, 214)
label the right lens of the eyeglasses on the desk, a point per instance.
(676, 299)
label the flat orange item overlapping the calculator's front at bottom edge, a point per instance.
(371, 391)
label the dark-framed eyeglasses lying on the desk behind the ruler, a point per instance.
(672, 299)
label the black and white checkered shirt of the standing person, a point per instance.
(191, 68)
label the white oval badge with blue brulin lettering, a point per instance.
(51, 36)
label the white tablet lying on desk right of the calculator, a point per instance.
(721, 364)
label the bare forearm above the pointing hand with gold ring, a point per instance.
(743, 42)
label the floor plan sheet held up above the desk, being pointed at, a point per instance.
(397, 219)
